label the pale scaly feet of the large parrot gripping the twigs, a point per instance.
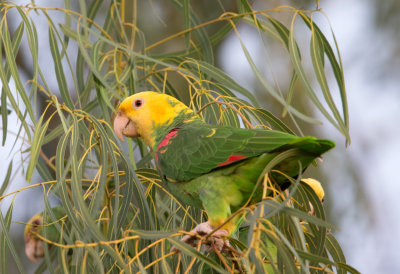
(215, 242)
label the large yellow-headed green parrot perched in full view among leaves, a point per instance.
(211, 167)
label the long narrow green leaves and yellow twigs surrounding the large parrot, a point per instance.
(118, 215)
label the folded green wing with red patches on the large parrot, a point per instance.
(194, 150)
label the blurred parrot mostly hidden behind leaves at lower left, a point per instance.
(34, 246)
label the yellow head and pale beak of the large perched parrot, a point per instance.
(140, 114)
